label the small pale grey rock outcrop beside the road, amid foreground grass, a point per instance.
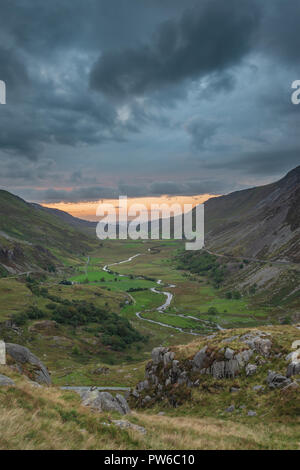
(104, 401)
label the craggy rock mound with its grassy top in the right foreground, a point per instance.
(234, 361)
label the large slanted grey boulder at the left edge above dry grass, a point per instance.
(27, 363)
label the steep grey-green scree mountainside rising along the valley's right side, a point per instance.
(253, 238)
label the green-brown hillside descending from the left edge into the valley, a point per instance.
(33, 237)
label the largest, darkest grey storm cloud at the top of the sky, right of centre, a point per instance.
(206, 39)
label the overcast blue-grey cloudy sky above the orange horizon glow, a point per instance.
(147, 97)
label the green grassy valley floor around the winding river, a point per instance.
(72, 354)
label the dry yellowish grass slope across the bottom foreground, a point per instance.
(47, 418)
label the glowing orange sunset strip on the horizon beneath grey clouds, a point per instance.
(87, 210)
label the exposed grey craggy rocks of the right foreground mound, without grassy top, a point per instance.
(170, 377)
